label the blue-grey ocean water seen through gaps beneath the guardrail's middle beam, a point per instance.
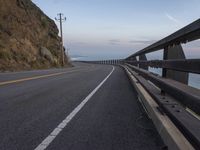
(194, 79)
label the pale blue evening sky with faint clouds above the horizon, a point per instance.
(110, 29)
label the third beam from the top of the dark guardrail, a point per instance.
(186, 95)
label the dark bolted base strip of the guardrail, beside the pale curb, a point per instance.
(185, 122)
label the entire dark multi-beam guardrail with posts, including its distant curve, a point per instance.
(180, 102)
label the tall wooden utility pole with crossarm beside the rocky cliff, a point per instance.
(61, 19)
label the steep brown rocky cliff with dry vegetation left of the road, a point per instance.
(28, 38)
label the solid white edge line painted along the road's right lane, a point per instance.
(45, 143)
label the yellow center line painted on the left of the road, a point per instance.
(35, 77)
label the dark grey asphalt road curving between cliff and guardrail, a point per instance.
(34, 103)
